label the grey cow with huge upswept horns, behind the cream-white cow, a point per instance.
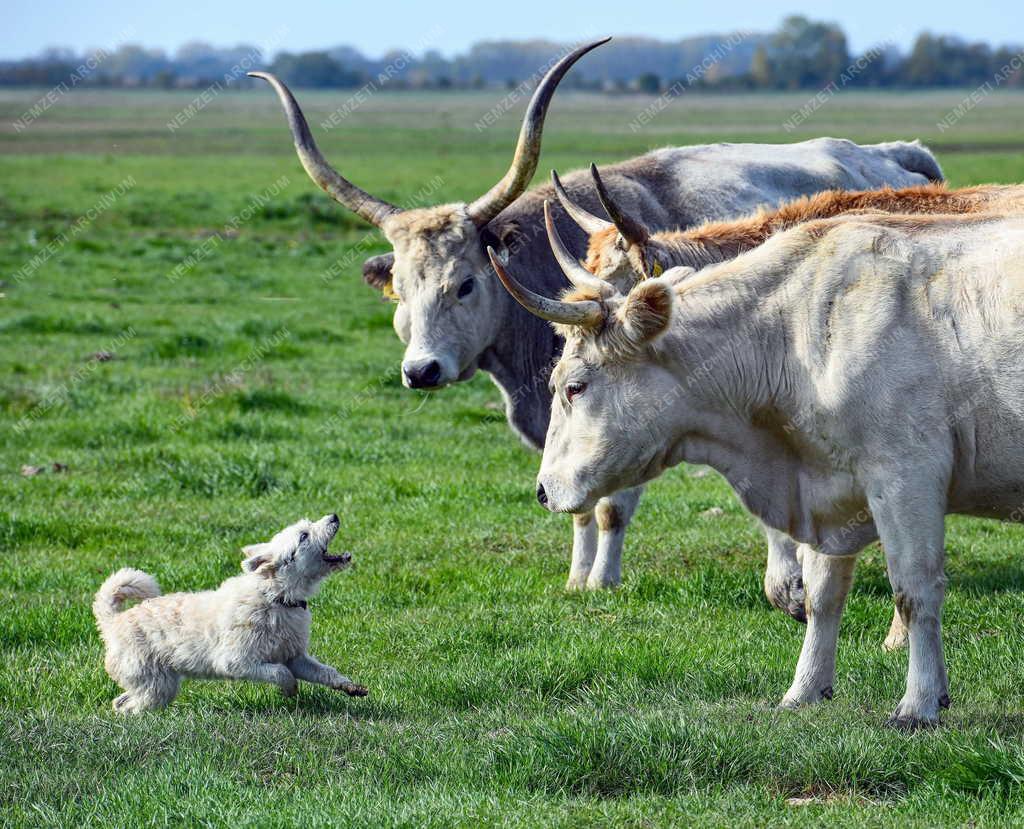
(455, 318)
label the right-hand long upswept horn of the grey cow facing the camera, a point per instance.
(528, 151)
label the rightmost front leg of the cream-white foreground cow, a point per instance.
(911, 521)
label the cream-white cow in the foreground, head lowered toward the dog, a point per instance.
(854, 379)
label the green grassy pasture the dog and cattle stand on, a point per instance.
(247, 390)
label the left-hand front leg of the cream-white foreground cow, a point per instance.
(827, 582)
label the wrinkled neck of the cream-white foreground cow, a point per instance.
(729, 357)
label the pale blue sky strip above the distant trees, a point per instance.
(452, 26)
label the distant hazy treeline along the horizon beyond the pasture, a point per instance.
(802, 55)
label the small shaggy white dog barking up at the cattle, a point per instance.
(253, 627)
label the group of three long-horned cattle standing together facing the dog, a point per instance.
(827, 325)
